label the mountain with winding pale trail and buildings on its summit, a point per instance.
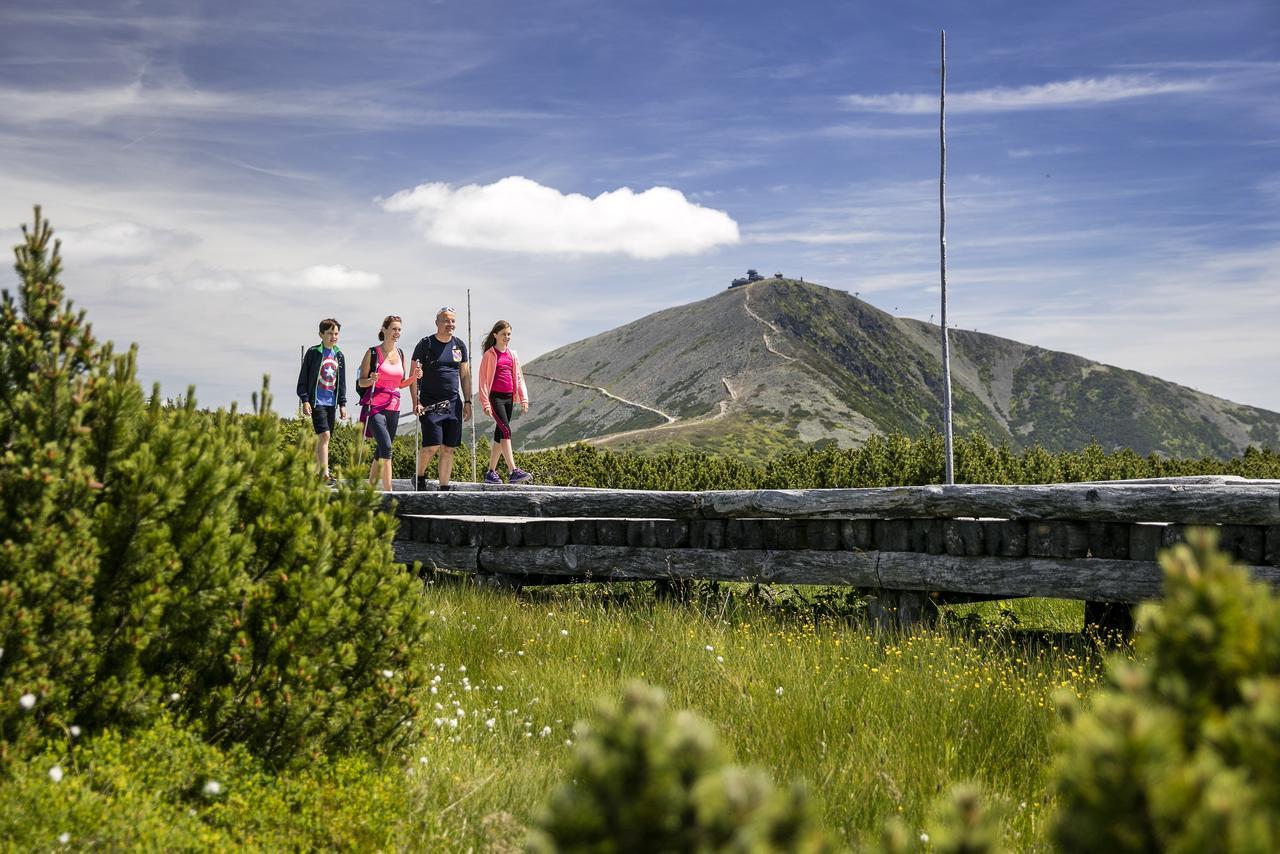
(761, 368)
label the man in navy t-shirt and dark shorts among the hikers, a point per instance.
(444, 396)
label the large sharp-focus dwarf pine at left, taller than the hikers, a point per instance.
(167, 559)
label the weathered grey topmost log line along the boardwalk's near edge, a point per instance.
(1245, 503)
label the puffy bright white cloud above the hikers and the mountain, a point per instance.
(522, 216)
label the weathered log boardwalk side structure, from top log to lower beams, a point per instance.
(1091, 541)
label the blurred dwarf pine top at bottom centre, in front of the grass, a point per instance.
(647, 780)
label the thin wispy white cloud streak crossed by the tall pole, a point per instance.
(1063, 94)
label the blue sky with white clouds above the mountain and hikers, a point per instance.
(226, 175)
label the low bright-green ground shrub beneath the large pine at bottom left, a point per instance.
(164, 788)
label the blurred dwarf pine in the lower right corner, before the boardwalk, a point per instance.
(1182, 752)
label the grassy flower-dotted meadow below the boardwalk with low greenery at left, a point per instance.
(876, 725)
